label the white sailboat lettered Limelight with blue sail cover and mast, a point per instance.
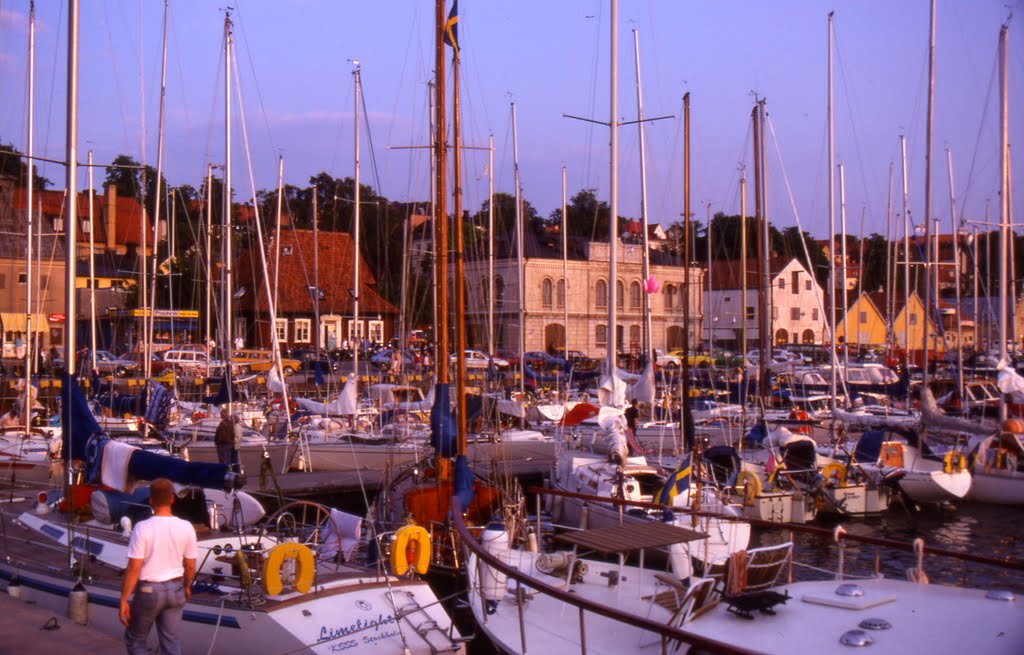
(297, 585)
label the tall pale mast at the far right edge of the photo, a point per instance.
(1006, 292)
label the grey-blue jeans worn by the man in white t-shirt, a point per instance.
(160, 603)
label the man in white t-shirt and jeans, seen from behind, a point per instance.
(162, 555)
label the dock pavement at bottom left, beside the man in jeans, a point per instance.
(28, 630)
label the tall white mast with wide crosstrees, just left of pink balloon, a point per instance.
(613, 332)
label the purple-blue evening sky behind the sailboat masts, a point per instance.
(294, 98)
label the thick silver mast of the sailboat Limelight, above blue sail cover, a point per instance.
(71, 211)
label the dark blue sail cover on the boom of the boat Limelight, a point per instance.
(83, 440)
